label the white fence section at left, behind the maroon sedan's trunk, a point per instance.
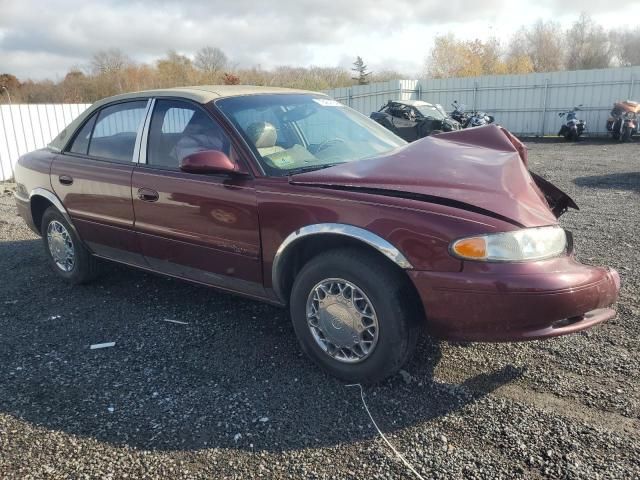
(28, 127)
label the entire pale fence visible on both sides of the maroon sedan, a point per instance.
(525, 104)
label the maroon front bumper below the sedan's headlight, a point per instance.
(511, 302)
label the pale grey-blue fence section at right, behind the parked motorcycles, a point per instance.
(527, 105)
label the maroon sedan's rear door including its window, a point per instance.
(92, 178)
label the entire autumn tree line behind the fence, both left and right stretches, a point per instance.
(542, 47)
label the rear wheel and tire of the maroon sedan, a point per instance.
(66, 254)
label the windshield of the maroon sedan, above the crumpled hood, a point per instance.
(295, 132)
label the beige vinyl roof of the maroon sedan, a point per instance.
(199, 93)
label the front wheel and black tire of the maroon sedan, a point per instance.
(355, 315)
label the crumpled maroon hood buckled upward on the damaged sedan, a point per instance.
(478, 167)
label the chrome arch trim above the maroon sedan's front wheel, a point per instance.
(365, 236)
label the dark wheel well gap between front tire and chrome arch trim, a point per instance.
(303, 250)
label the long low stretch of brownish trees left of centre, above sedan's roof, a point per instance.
(112, 71)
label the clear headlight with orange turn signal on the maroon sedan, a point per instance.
(516, 246)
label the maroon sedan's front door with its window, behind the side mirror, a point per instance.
(202, 227)
